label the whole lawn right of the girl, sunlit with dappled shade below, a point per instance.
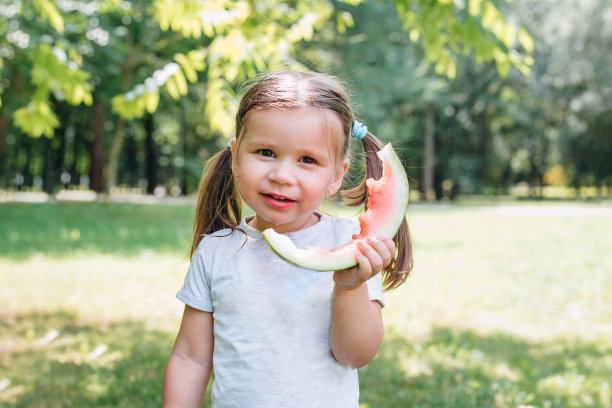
(499, 311)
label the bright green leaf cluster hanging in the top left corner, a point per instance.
(33, 41)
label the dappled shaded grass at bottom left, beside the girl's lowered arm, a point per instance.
(88, 364)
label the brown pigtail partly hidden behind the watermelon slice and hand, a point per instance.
(397, 271)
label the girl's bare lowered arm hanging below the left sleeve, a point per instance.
(190, 363)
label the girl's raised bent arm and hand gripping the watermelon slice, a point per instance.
(356, 323)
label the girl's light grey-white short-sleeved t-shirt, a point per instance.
(272, 319)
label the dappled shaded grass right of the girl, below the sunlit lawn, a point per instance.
(463, 369)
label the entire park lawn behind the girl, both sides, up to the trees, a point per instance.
(504, 308)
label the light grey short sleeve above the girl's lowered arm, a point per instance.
(196, 289)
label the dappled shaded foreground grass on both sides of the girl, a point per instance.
(120, 364)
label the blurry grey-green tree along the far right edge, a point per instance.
(568, 99)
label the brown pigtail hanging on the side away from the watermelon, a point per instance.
(219, 205)
